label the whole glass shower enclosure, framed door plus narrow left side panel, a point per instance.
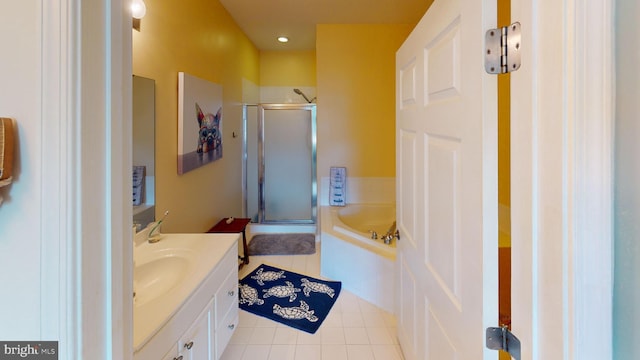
(280, 163)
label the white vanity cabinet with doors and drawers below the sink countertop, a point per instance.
(201, 328)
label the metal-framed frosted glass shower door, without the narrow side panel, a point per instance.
(287, 175)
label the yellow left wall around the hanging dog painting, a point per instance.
(198, 37)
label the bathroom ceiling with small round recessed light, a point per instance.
(264, 20)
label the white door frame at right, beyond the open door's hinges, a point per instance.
(561, 175)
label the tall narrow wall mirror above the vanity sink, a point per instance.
(144, 120)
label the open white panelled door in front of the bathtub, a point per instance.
(446, 138)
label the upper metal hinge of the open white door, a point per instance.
(502, 49)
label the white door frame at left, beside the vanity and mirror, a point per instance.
(86, 174)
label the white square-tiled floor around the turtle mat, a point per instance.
(353, 330)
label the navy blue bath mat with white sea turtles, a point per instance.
(293, 299)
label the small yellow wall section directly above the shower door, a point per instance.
(288, 68)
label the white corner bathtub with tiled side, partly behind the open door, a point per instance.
(348, 254)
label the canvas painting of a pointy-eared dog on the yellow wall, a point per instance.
(199, 122)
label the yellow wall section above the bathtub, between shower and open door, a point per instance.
(356, 97)
